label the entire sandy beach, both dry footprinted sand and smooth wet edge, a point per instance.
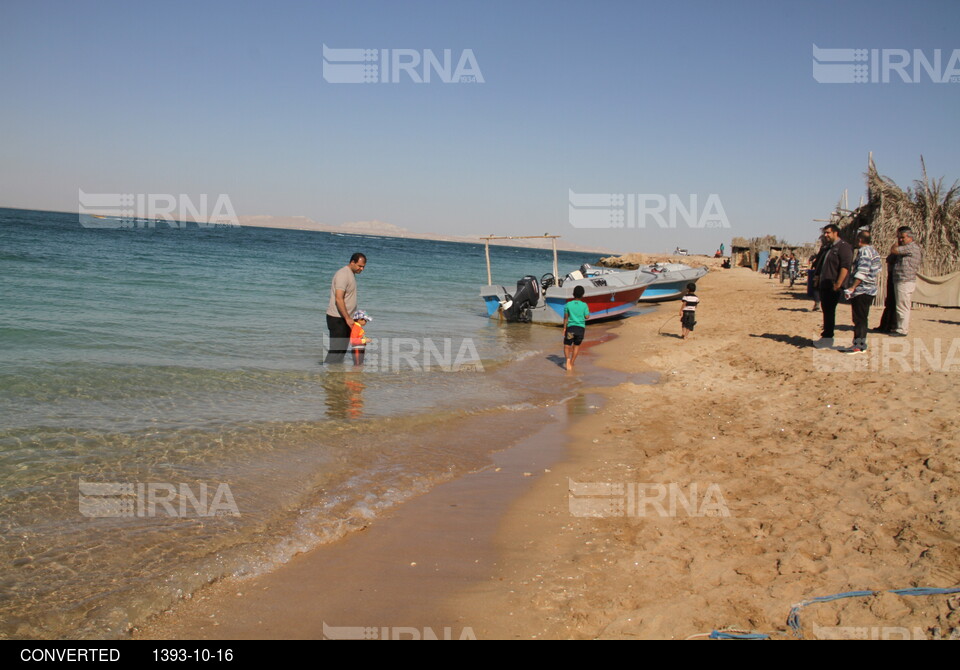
(816, 473)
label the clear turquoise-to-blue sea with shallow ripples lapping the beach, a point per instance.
(166, 418)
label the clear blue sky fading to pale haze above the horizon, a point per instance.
(679, 102)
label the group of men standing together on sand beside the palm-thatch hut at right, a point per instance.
(842, 274)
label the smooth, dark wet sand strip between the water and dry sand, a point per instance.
(452, 550)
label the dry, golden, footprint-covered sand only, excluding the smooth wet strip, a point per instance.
(835, 480)
